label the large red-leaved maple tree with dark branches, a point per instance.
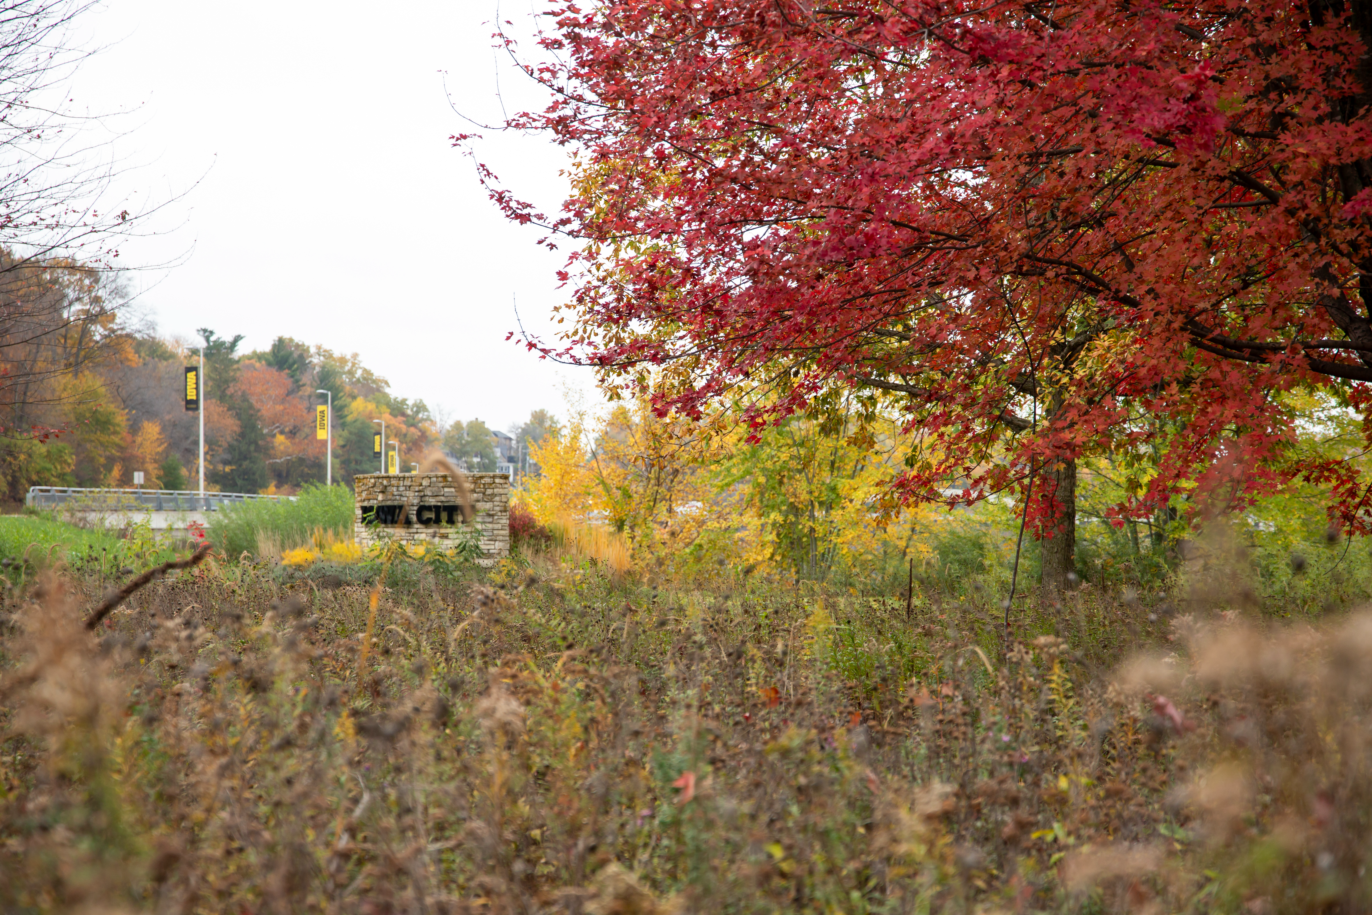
(1057, 228)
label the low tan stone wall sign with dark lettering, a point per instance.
(415, 508)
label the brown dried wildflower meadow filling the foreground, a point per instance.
(554, 740)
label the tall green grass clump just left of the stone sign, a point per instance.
(261, 527)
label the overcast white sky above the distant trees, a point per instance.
(320, 197)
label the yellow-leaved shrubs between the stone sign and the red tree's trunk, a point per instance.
(806, 499)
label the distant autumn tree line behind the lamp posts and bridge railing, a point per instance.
(90, 399)
